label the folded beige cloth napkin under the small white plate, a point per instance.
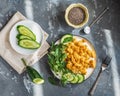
(12, 57)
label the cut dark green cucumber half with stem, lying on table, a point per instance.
(33, 74)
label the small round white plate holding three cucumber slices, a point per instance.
(34, 27)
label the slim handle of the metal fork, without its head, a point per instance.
(92, 89)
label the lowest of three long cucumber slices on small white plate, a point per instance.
(28, 44)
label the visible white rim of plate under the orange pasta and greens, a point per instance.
(89, 70)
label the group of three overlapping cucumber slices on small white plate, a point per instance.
(26, 38)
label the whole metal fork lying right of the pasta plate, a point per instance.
(104, 65)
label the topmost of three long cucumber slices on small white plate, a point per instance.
(26, 31)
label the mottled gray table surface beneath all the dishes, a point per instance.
(49, 14)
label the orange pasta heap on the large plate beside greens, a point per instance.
(79, 56)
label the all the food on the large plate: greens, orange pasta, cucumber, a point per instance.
(70, 60)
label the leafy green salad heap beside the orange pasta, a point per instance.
(57, 57)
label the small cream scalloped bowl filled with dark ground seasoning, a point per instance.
(76, 15)
